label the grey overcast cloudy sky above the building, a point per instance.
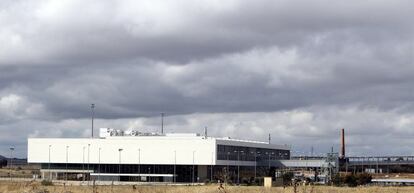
(297, 69)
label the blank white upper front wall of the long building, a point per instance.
(153, 150)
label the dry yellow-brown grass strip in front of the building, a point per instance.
(27, 187)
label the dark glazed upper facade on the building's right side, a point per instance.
(235, 153)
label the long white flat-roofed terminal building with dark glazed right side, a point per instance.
(152, 157)
